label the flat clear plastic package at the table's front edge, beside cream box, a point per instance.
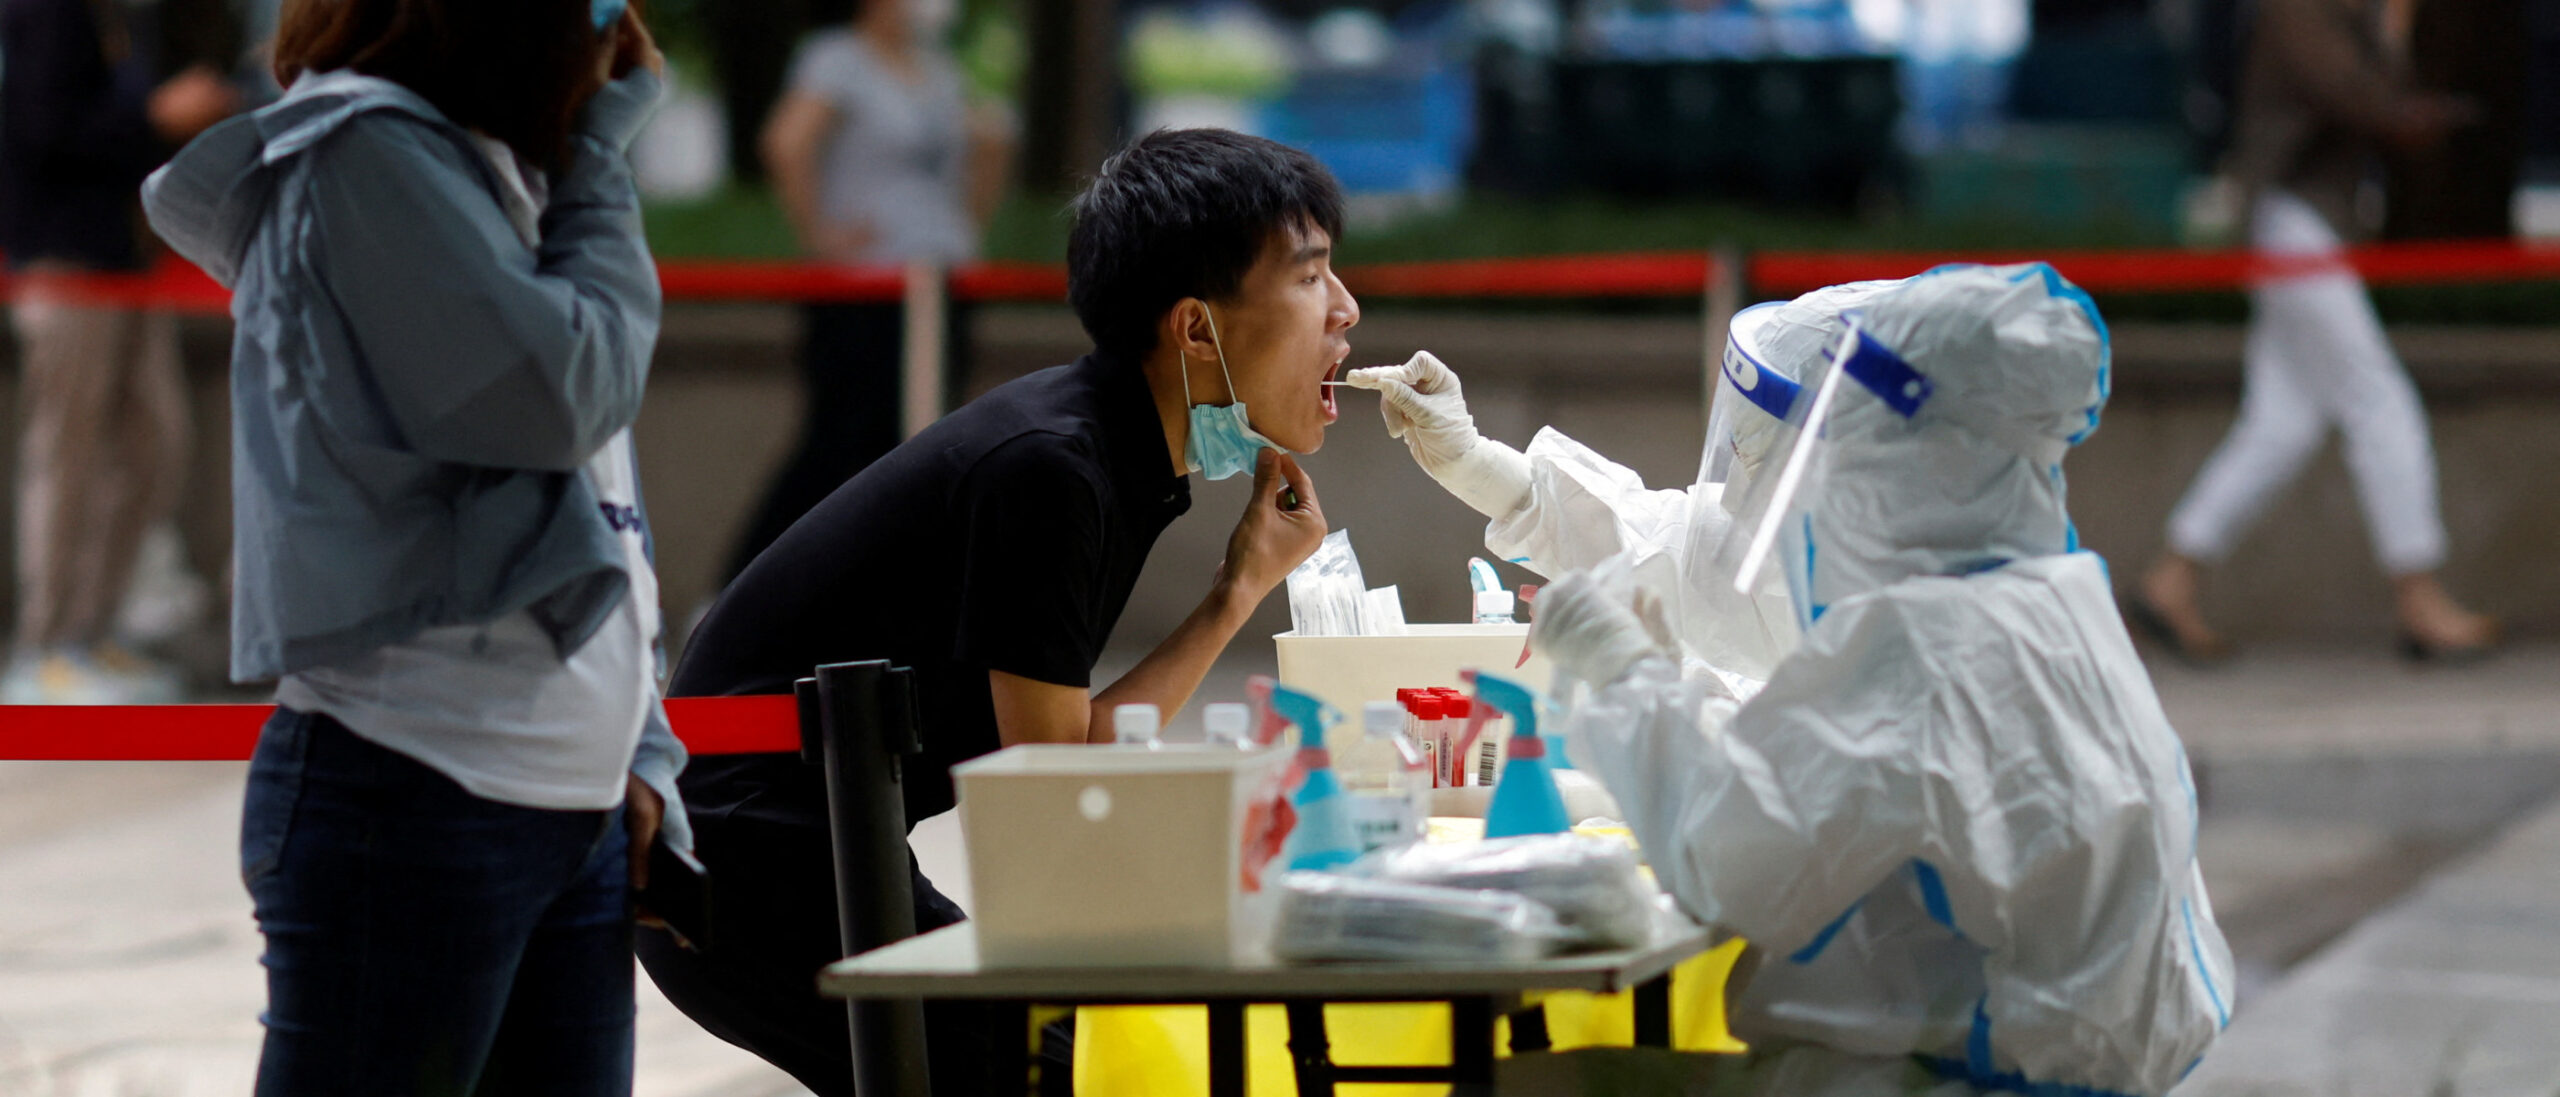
(1332, 917)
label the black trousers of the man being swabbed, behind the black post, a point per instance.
(777, 930)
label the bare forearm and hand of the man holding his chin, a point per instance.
(1268, 543)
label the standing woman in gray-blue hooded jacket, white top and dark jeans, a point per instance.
(444, 316)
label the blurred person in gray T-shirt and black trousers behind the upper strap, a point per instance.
(879, 160)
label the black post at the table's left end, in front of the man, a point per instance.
(867, 727)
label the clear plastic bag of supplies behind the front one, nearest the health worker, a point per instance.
(1594, 886)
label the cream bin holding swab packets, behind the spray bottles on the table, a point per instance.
(1353, 671)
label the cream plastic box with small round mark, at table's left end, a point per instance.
(1115, 858)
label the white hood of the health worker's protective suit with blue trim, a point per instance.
(1944, 449)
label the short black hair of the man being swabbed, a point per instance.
(1184, 214)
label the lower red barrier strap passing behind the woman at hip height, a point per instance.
(756, 725)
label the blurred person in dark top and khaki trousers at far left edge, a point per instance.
(88, 109)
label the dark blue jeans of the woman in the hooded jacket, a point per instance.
(424, 942)
